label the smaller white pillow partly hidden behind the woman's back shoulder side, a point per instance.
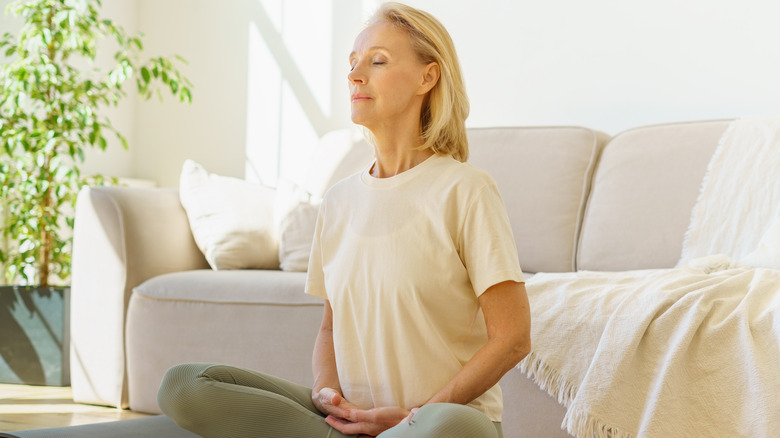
(296, 215)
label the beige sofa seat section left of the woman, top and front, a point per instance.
(260, 320)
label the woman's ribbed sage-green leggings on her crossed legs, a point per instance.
(223, 401)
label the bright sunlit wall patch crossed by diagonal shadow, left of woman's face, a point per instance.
(289, 87)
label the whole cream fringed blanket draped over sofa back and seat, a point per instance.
(690, 351)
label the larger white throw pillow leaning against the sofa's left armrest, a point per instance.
(231, 220)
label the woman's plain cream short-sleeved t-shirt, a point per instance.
(402, 261)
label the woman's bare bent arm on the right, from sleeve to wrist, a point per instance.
(508, 319)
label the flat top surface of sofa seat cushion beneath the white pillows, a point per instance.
(238, 286)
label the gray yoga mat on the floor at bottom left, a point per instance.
(151, 427)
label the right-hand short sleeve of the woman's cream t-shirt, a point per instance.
(487, 245)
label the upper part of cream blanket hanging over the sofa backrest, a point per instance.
(739, 202)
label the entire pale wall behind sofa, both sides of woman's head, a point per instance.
(270, 74)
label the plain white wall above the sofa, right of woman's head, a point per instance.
(615, 64)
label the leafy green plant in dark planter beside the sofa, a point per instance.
(52, 104)
